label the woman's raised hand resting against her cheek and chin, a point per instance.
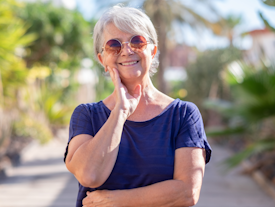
(124, 100)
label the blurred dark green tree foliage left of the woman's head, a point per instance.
(63, 35)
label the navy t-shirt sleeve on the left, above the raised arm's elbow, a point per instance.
(80, 124)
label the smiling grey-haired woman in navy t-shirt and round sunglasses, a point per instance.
(137, 147)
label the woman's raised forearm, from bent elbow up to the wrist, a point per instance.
(93, 161)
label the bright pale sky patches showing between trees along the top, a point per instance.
(247, 8)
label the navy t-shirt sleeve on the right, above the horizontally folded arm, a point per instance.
(191, 133)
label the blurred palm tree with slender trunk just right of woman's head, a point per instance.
(164, 13)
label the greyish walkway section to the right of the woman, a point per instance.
(231, 189)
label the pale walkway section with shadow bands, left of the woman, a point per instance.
(41, 181)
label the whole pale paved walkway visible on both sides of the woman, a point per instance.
(43, 181)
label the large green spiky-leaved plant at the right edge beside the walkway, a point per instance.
(251, 113)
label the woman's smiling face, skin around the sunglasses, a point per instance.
(130, 65)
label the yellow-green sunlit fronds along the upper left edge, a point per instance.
(12, 68)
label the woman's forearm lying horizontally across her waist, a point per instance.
(163, 194)
